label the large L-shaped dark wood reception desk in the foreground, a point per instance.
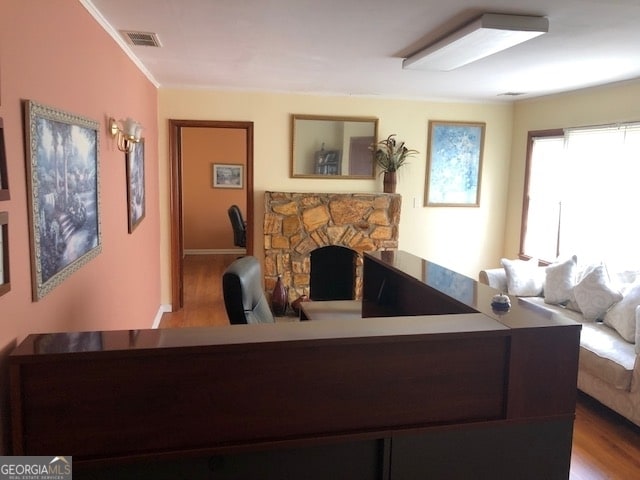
(363, 398)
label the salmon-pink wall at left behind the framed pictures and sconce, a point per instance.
(55, 53)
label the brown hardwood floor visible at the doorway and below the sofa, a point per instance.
(605, 445)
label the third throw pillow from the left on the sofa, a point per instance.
(593, 294)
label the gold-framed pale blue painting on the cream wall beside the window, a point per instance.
(454, 164)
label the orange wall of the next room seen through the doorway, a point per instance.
(206, 223)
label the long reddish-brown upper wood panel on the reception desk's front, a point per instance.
(134, 404)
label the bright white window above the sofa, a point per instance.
(581, 193)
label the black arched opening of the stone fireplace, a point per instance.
(333, 273)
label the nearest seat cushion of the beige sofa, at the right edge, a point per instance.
(606, 355)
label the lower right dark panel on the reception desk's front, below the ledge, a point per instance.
(524, 451)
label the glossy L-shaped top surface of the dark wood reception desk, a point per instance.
(471, 295)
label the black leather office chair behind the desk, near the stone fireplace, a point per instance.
(244, 297)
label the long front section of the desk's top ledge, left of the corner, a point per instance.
(334, 331)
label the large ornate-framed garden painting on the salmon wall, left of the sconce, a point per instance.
(63, 194)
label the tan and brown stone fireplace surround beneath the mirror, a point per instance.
(295, 224)
